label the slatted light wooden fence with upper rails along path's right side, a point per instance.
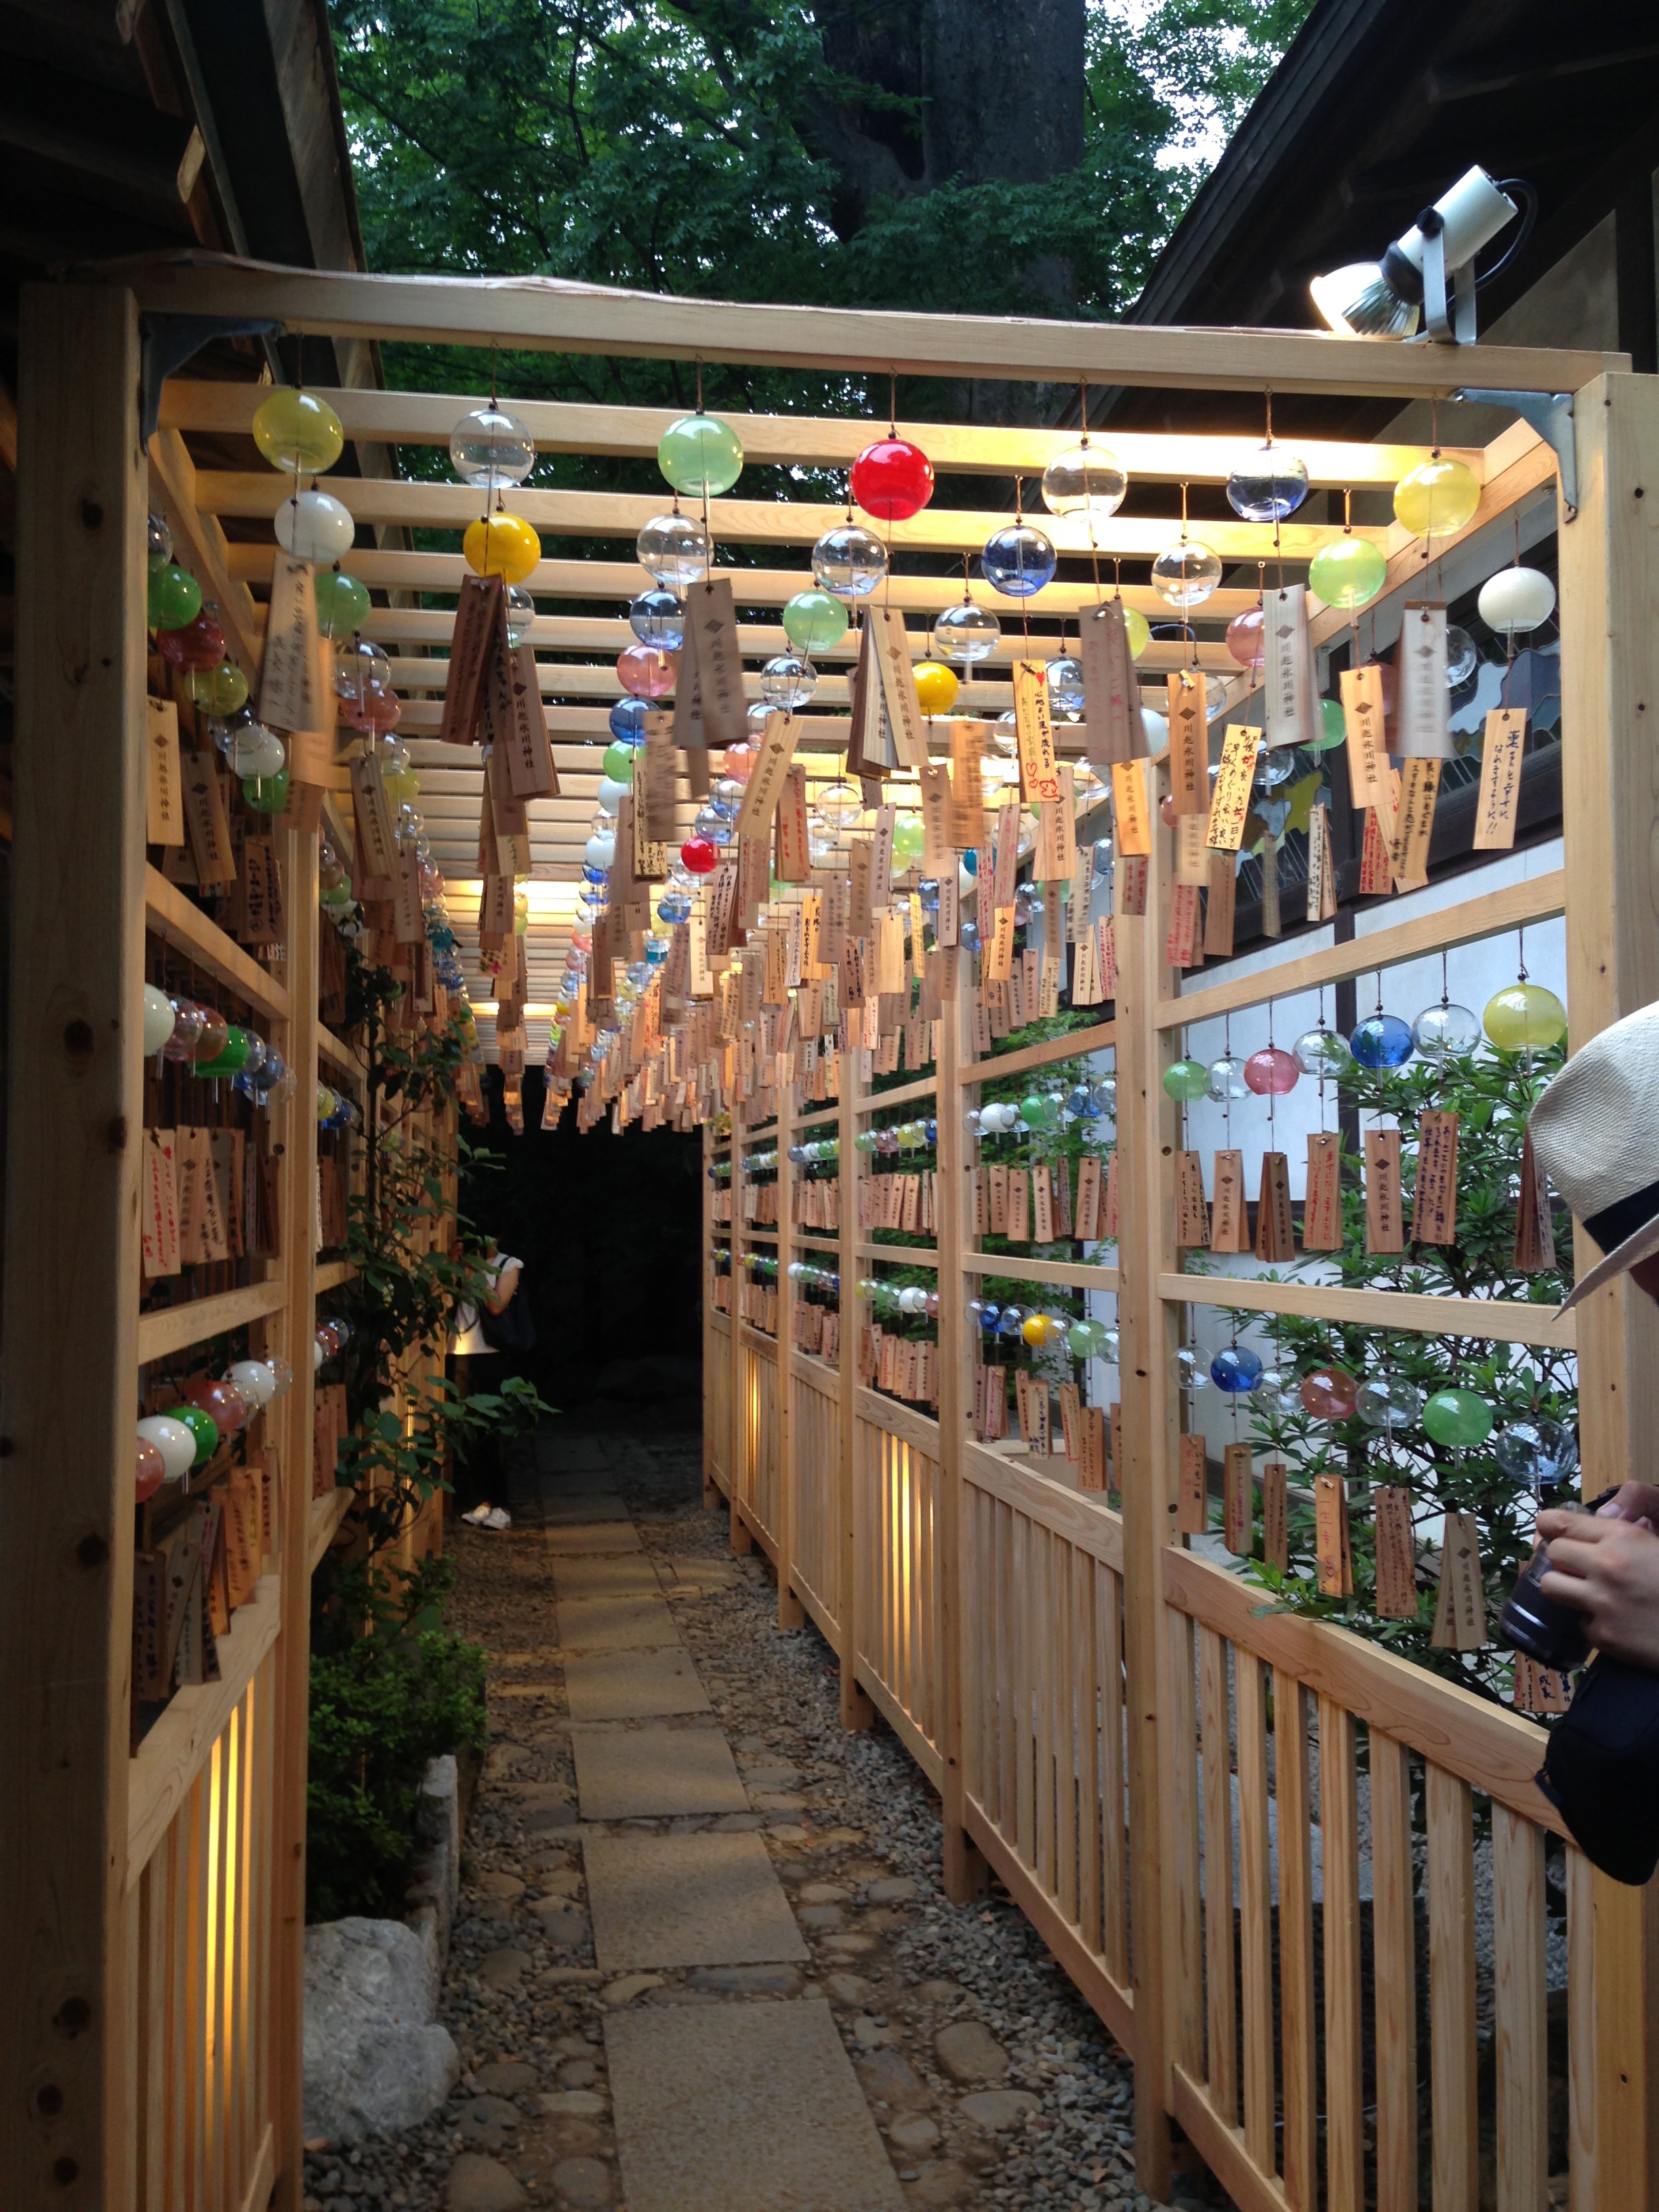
(1308, 1886)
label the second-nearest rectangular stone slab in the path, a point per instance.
(687, 1901)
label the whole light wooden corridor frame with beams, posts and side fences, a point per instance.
(1098, 1707)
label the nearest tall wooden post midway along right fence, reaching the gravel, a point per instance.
(1147, 1483)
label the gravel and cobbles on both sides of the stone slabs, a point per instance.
(855, 1837)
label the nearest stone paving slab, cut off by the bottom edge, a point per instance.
(744, 2109)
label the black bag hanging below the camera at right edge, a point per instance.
(1603, 1771)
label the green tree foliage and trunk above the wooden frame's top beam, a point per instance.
(727, 149)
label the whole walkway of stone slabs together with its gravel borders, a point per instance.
(702, 1961)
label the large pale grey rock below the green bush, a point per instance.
(375, 2056)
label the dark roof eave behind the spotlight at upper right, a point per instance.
(1375, 112)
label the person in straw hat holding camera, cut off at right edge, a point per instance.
(1596, 1134)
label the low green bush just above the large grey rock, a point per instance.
(382, 1711)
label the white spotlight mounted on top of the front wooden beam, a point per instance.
(1430, 269)
